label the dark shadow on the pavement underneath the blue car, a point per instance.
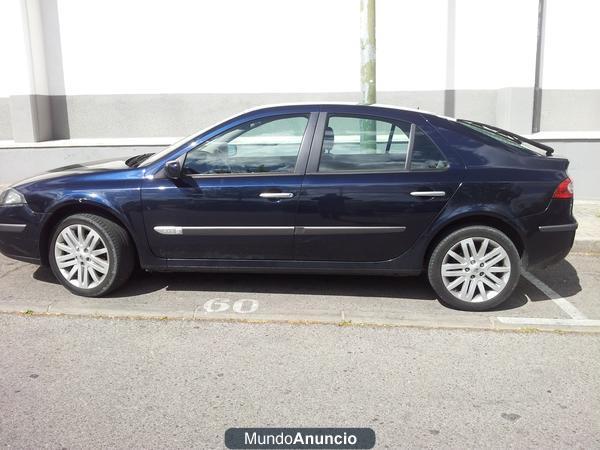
(368, 287)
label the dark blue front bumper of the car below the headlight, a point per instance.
(20, 233)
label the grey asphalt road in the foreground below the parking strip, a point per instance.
(90, 383)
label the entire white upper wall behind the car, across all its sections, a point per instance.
(242, 46)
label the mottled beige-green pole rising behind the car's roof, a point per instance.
(367, 52)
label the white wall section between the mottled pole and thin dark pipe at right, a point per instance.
(493, 44)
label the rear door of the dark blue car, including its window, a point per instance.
(373, 185)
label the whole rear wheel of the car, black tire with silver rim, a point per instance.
(494, 267)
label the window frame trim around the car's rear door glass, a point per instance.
(314, 159)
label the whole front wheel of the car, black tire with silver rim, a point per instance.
(99, 267)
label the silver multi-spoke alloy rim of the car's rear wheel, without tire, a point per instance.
(476, 269)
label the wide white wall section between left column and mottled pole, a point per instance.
(180, 46)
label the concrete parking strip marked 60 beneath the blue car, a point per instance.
(563, 297)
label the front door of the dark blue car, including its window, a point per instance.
(237, 197)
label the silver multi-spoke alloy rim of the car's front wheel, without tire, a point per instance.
(81, 256)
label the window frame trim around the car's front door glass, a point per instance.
(301, 160)
